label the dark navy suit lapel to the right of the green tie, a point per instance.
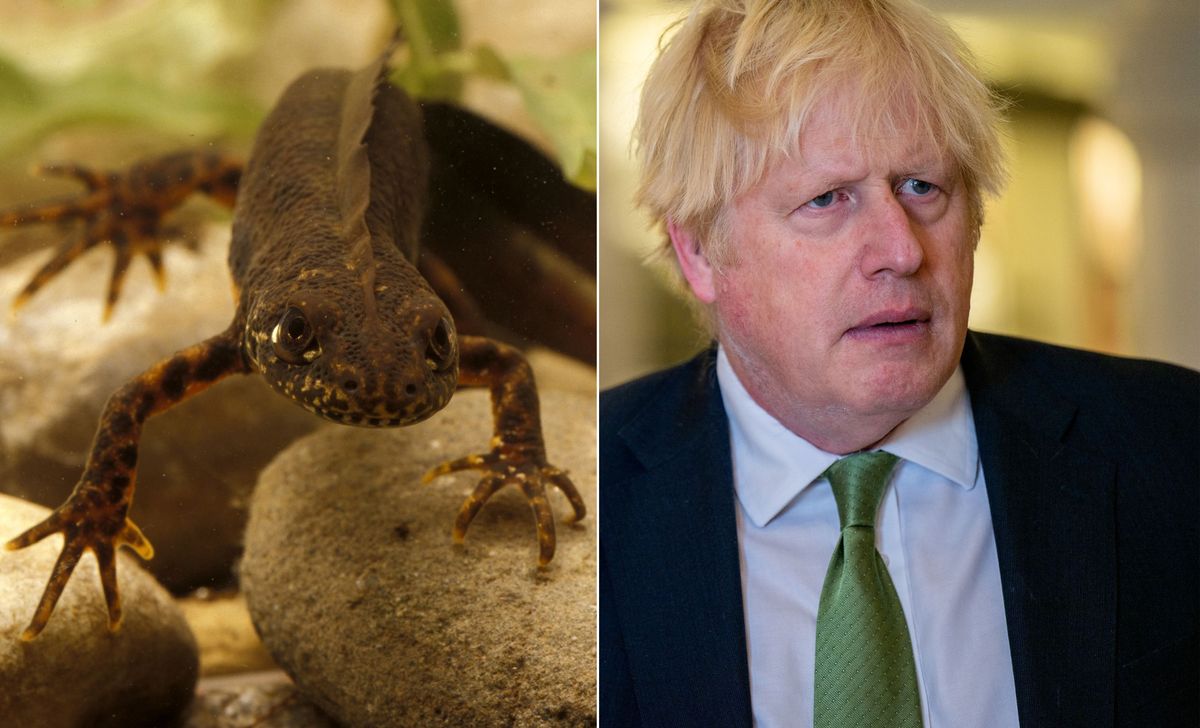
(1053, 512)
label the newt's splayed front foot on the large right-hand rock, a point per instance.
(532, 474)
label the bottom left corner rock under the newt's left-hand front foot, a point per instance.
(76, 672)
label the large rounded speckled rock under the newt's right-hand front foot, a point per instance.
(362, 597)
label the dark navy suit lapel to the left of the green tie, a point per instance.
(688, 651)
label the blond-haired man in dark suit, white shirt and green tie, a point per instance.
(1030, 512)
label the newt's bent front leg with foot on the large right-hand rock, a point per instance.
(519, 454)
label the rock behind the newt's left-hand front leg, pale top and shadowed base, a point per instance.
(59, 364)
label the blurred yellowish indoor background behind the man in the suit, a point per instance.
(1094, 244)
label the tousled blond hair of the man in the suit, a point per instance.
(733, 89)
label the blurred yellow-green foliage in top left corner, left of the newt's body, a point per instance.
(154, 67)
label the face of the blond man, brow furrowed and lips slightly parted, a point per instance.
(845, 309)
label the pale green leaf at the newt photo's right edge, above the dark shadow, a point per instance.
(561, 97)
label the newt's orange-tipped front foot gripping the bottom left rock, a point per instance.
(85, 528)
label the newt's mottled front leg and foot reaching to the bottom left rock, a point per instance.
(97, 515)
